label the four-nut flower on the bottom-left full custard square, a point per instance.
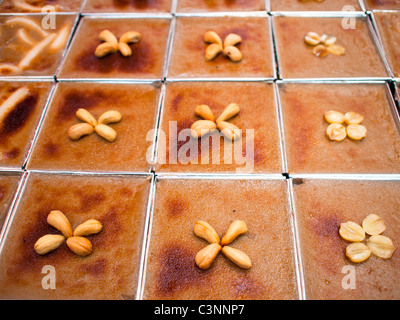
(76, 240)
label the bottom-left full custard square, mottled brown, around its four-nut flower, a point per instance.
(109, 272)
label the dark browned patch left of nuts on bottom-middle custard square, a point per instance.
(177, 270)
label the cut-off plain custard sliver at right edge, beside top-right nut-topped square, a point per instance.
(388, 24)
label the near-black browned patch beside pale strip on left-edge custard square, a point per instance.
(17, 117)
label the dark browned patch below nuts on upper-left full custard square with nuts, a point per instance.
(141, 60)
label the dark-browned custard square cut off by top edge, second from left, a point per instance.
(126, 6)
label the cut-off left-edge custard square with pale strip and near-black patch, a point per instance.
(21, 107)
